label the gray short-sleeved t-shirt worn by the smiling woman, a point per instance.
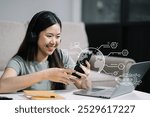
(23, 67)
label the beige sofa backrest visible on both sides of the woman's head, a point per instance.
(12, 34)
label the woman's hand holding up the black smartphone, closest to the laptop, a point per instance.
(83, 82)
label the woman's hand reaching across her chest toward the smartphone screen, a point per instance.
(58, 75)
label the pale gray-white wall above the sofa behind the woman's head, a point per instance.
(23, 10)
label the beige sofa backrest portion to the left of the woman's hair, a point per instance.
(11, 36)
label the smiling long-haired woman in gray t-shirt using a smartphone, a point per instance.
(38, 64)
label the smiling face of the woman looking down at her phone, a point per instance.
(48, 41)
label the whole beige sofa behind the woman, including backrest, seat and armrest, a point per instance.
(74, 39)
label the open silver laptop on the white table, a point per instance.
(124, 86)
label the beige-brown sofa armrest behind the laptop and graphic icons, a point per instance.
(115, 66)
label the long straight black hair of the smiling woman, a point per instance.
(29, 47)
